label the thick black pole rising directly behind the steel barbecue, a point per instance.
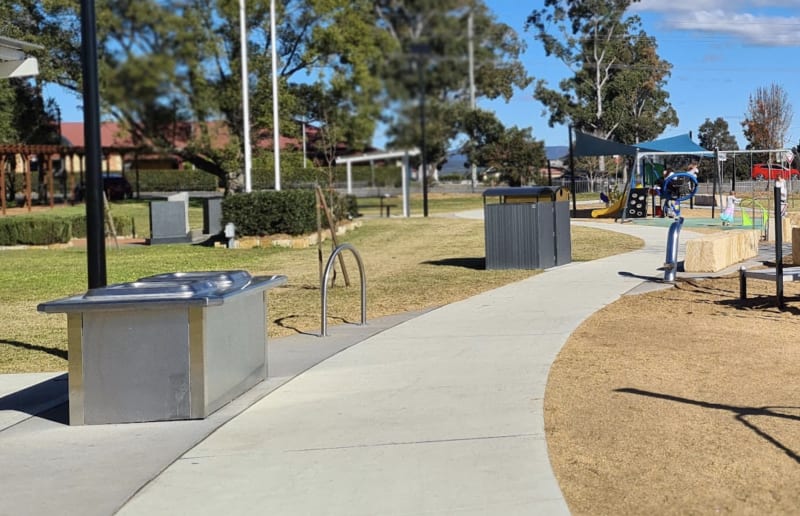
(95, 238)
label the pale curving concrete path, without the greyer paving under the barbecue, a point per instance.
(441, 414)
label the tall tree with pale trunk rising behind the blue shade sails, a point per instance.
(616, 86)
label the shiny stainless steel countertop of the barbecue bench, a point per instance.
(203, 288)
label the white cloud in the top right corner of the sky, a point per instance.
(728, 17)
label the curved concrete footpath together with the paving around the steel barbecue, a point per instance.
(439, 414)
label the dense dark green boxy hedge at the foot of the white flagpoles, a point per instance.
(291, 212)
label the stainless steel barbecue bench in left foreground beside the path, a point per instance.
(166, 347)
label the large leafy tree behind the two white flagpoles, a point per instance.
(182, 61)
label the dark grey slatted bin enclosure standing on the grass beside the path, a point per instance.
(527, 227)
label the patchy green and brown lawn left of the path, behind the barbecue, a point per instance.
(444, 254)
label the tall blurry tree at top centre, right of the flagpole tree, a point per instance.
(430, 65)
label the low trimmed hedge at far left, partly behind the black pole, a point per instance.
(39, 230)
